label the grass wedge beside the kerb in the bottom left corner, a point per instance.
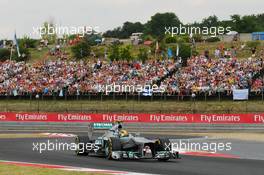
(19, 170)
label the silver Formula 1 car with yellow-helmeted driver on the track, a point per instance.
(117, 144)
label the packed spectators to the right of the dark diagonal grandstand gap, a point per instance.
(215, 75)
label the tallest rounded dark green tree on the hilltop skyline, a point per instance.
(156, 26)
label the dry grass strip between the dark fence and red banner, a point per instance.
(122, 106)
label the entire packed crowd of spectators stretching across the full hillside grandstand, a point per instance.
(202, 74)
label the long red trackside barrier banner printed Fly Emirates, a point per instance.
(252, 118)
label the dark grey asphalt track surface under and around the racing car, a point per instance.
(22, 150)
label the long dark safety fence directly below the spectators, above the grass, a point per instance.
(202, 96)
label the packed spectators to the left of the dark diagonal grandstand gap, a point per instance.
(75, 77)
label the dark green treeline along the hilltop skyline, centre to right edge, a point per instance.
(155, 27)
